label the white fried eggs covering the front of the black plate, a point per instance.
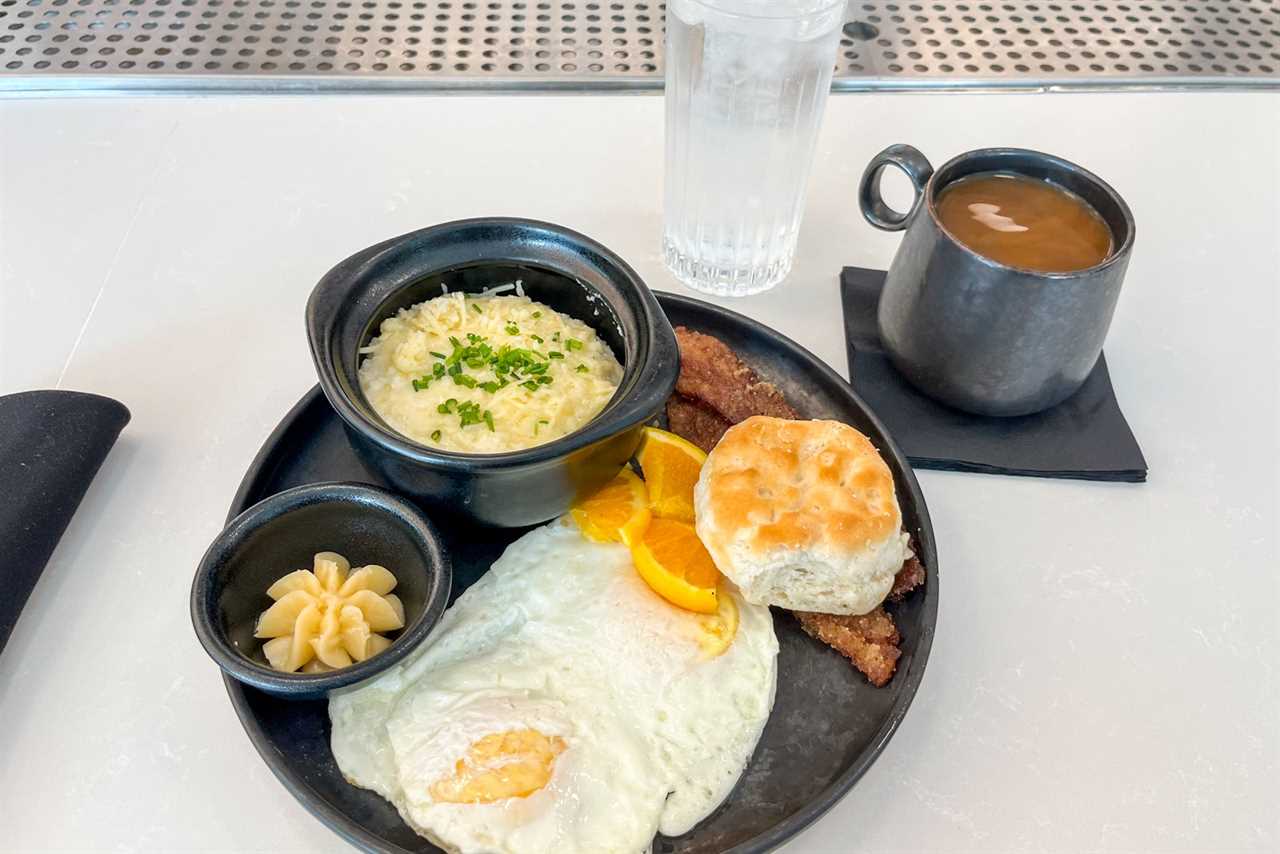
(563, 706)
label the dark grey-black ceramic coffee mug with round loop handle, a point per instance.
(979, 335)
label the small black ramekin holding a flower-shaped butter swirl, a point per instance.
(284, 533)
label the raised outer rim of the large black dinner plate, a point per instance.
(789, 828)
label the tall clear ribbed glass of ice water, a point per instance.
(747, 85)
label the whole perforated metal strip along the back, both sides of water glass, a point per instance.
(592, 44)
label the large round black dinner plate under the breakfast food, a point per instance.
(828, 727)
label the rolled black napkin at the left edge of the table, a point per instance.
(52, 445)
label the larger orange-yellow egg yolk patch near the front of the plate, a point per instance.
(501, 765)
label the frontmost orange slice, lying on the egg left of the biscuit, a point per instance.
(675, 564)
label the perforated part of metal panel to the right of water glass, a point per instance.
(1063, 43)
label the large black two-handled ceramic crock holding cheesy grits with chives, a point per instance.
(557, 267)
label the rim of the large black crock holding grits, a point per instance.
(641, 385)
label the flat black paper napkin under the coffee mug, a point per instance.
(1085, 437)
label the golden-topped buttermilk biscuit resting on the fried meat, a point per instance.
(802, 515)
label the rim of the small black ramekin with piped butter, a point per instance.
(207, 618)
